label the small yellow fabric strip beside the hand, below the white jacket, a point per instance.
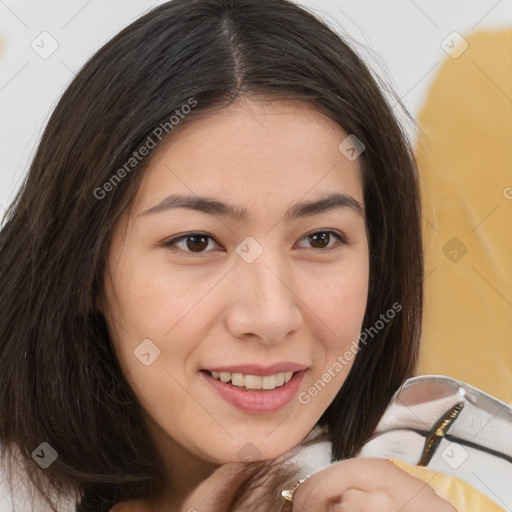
(463, 497)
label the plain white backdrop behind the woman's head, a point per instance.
(404, 40)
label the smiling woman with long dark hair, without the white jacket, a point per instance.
(216, 256)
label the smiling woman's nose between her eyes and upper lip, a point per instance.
(265, 305)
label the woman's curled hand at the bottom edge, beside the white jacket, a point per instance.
(366, 485)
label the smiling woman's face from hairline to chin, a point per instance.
(234, 326)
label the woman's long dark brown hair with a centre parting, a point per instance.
(59, 380)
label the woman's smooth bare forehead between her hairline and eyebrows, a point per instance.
(253, 148)
